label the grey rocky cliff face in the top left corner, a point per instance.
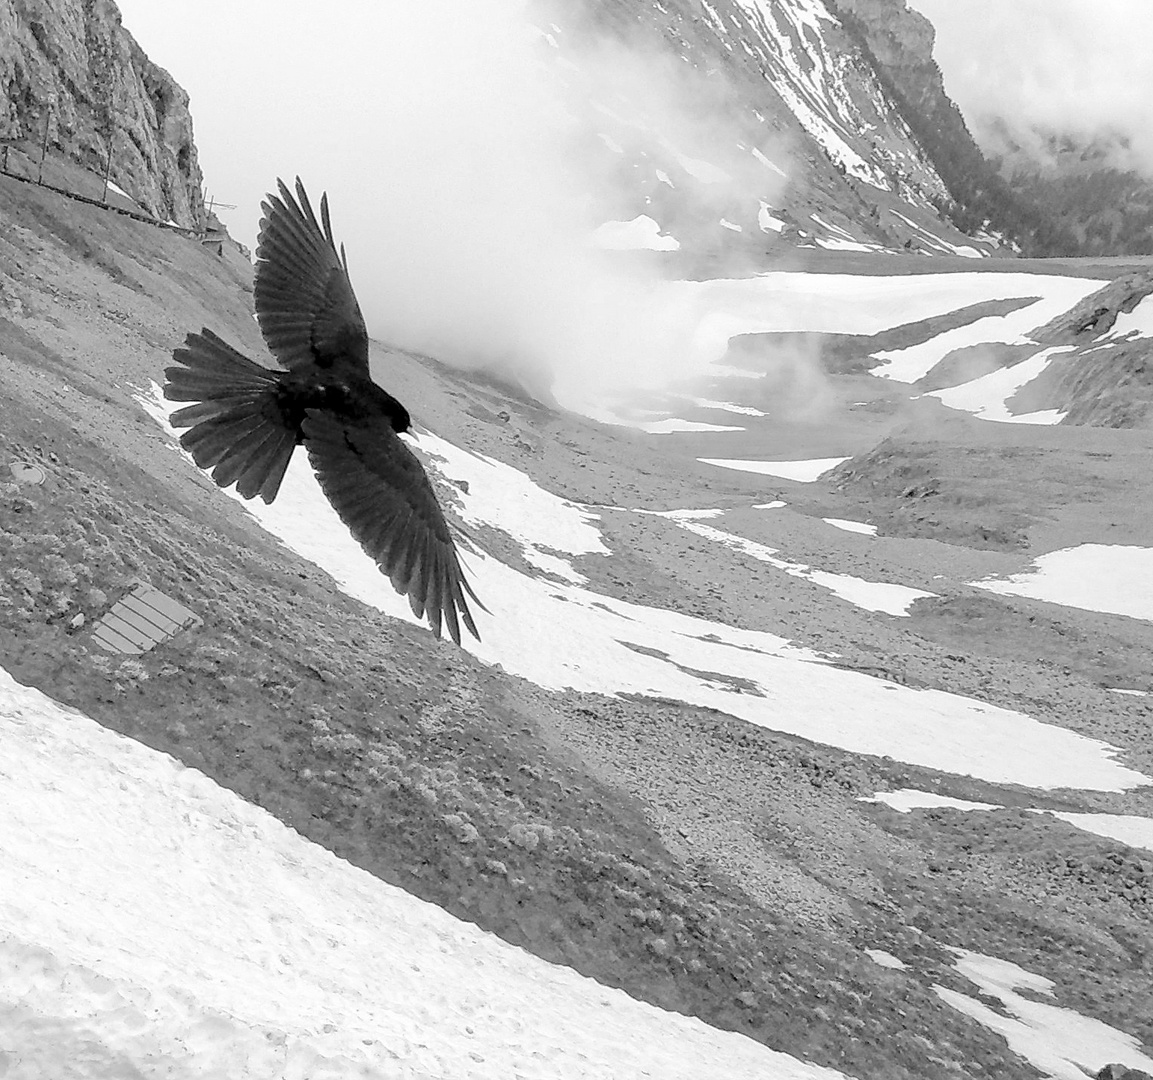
(70, 67)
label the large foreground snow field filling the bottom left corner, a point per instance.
(156, 925)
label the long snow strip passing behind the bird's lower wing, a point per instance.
(751, 675)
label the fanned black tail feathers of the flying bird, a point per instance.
(237, 429)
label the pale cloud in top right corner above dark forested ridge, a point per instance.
(1077, 67)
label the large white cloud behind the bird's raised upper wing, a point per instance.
(459, 147)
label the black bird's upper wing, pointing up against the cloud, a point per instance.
(305, 301)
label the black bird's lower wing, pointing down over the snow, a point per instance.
(381, 492)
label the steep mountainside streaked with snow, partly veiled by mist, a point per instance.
(773, 130)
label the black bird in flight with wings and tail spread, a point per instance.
(248, 420)
